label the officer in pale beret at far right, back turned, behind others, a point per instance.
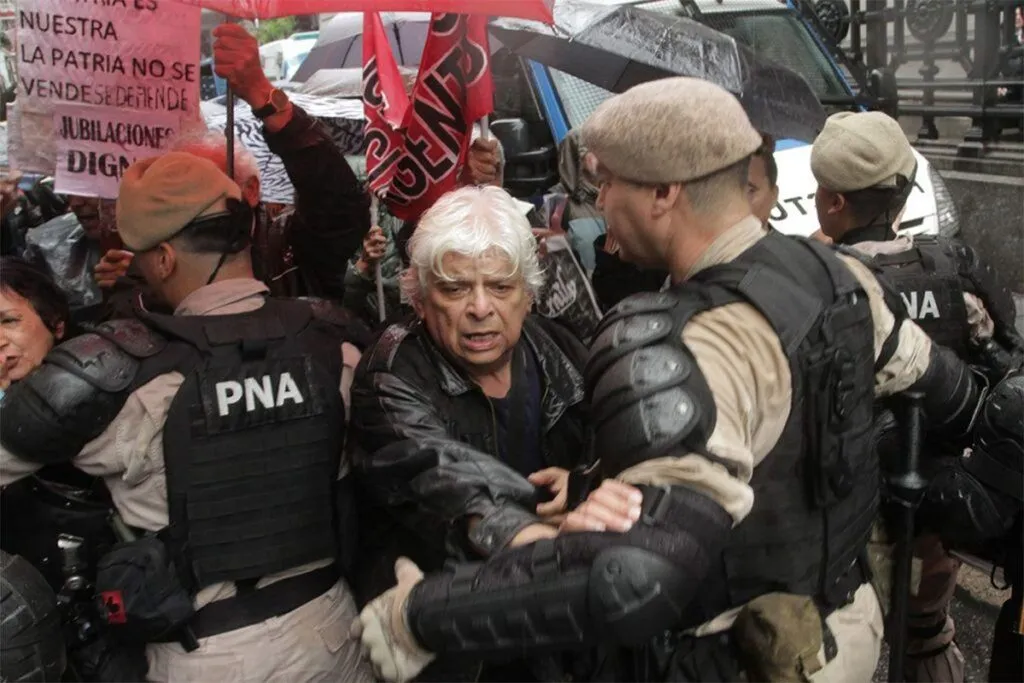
(866, 170)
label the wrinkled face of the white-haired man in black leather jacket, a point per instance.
(476, 313)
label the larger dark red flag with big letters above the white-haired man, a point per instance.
(453, 90)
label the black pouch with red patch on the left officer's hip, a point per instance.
(140, 592)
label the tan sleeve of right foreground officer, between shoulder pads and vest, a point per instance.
(743, 361)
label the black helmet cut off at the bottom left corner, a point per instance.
(31, 643)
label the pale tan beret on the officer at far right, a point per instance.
(860, 151)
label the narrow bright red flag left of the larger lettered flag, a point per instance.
(386, 103)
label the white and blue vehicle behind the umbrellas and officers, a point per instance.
(776, 30)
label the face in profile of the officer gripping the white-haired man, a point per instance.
(628, 214)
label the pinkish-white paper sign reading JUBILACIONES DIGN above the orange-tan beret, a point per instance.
(96, 145)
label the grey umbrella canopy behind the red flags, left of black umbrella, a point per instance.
(340, 44)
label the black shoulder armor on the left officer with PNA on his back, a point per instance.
(69, 401)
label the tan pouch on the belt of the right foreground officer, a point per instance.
(780, 636)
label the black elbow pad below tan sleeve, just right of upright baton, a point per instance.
(954, 394)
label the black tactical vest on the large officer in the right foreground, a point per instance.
(817, 494)
